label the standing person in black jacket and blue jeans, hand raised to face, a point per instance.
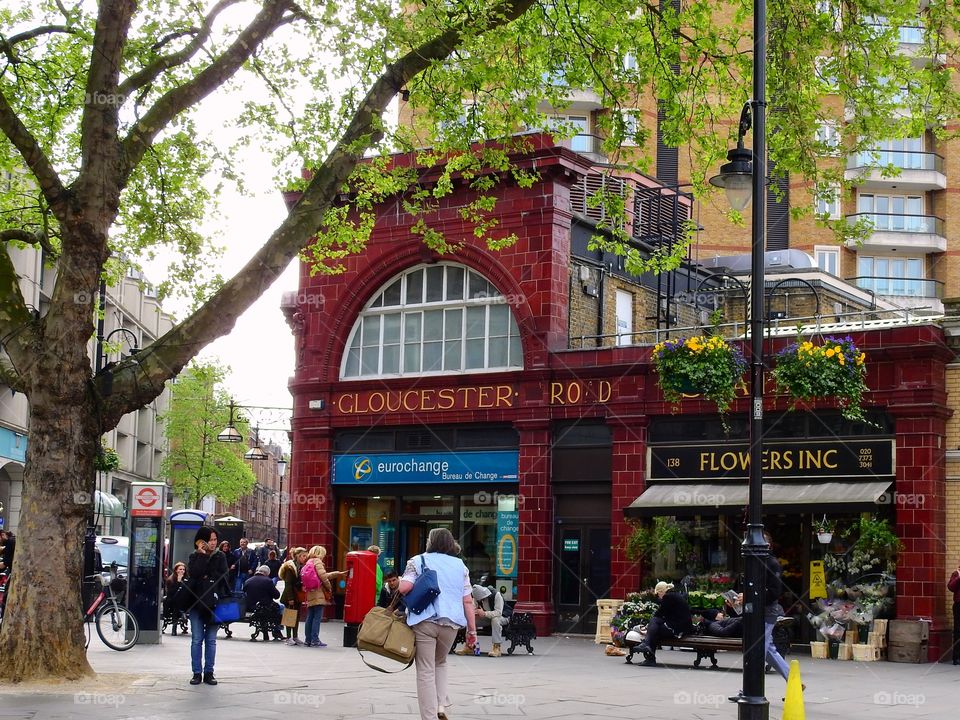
(208, 582)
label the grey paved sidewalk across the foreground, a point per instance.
(567, 678)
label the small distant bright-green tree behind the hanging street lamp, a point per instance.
(197, 465)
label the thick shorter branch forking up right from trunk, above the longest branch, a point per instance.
(175, 101)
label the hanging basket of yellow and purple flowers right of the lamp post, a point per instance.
(835, 368)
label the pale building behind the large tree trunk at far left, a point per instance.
(132, 318)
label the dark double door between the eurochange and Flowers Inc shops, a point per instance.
(583, 576)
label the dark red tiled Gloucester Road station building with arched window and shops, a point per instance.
(457, 391)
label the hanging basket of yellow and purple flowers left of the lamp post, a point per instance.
(702, 365)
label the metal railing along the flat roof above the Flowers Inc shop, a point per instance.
(858, 320)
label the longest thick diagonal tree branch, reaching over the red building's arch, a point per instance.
(135, 383)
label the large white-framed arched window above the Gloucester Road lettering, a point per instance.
(434, 319)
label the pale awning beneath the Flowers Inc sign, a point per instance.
(713, 498)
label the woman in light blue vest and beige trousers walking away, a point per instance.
(436, 627)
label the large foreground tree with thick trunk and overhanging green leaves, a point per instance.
(105, 164)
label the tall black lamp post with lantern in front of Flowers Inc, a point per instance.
(751, 704)
